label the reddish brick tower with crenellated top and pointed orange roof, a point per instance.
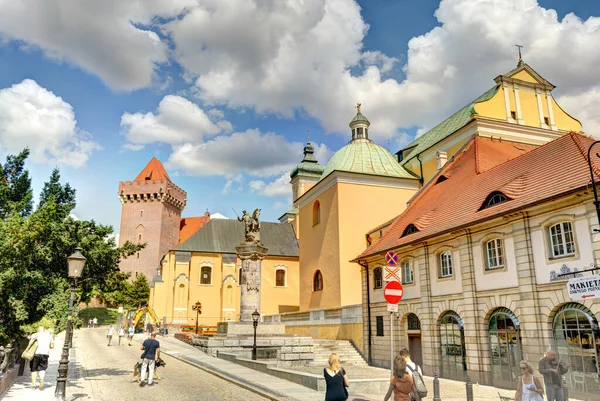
(151, 214)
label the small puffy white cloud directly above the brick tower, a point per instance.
(176, 121)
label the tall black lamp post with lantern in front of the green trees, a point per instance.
(76, 263)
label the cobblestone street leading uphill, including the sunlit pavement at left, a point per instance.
(107, 372)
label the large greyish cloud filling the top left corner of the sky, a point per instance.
(113, 39)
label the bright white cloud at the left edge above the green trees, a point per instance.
(34, 117)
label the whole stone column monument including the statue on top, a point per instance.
(251, 252)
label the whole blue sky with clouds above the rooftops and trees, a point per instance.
(223, 93)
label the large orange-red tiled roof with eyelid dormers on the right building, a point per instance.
(525, 174)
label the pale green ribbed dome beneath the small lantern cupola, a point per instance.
(364, 157)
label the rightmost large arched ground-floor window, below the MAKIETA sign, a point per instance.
(577, 339)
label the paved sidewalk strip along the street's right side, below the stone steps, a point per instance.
(266, 385)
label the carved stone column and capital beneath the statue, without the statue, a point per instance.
(251, 255)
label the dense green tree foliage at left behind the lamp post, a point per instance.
(34, 245)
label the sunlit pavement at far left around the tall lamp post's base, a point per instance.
(77, 386)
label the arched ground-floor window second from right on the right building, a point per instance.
(505, 343)
